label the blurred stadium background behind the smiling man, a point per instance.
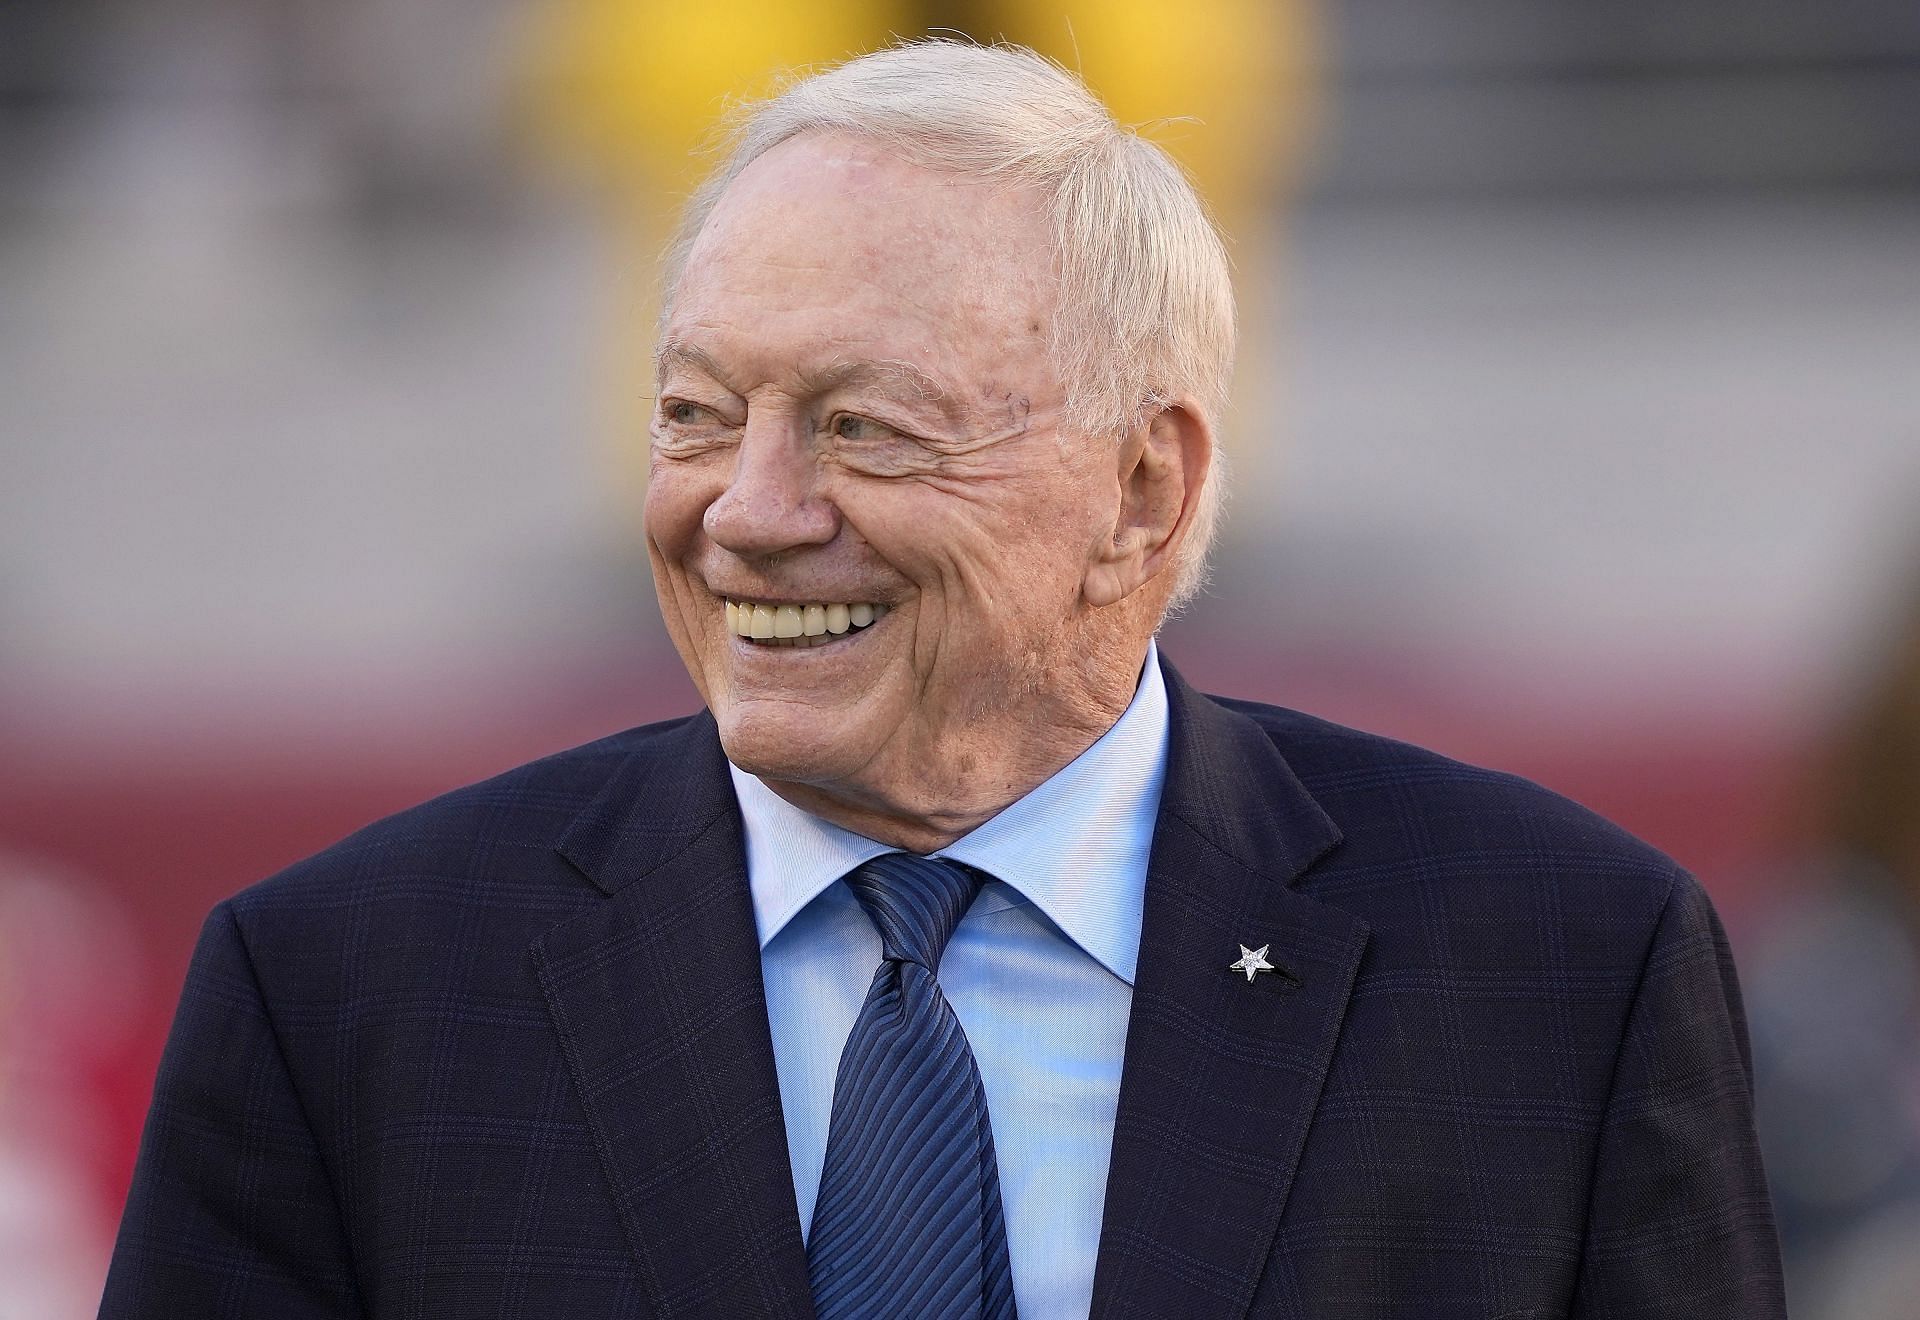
(1579, 435)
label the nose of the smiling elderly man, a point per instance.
(773, 502)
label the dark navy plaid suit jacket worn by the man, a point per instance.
(508, 1056)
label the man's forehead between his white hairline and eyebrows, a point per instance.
(830, 222)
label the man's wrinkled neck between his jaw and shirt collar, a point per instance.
(957, 790)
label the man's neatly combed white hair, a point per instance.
(1145, 300)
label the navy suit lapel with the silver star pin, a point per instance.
(1222, 1075)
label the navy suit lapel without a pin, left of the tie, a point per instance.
(658, 999)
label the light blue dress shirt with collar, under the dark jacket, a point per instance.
(1040, 974)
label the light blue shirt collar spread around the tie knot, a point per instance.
(1076, 847)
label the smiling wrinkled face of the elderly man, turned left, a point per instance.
(857, 410)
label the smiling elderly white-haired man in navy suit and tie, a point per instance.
(959, 960)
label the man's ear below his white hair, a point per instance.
(1164, 463)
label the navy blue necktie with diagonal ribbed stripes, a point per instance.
(909, 1217)
